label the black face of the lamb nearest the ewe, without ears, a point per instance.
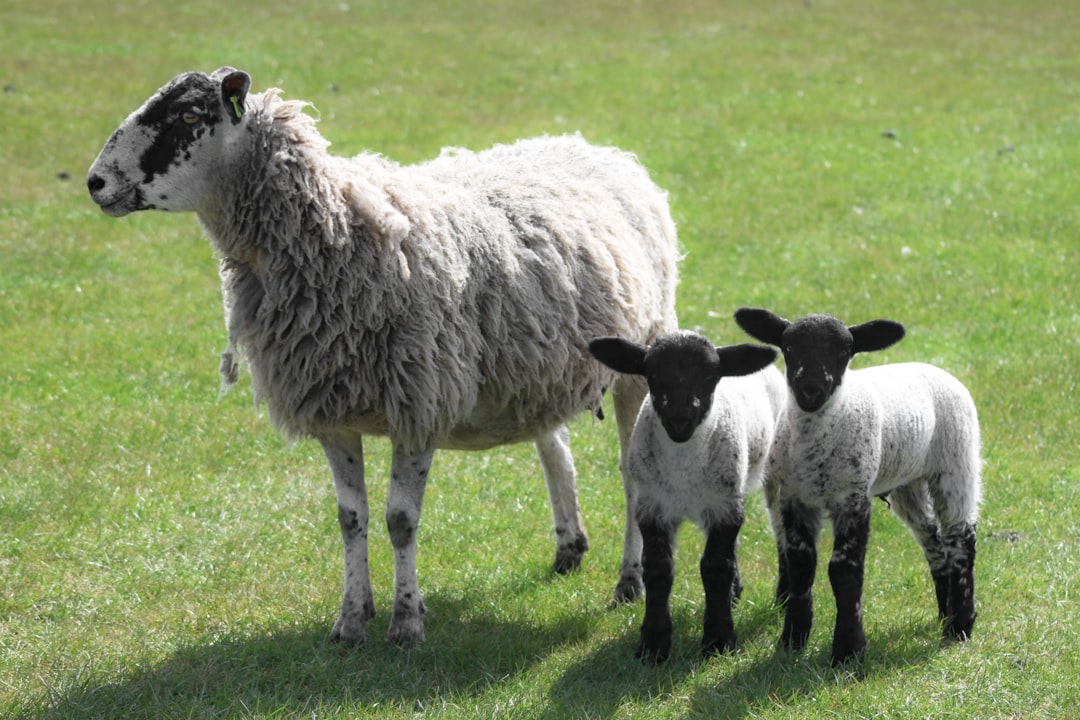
(682, 372)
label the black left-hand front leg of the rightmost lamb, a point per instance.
(802, 526)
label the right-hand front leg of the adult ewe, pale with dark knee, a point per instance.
(408, 481)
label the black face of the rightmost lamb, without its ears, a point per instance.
(817, 352)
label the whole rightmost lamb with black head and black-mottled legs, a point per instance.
(906, 432)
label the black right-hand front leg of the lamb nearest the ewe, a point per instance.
(720, 575)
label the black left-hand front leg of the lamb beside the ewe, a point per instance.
(658, 565)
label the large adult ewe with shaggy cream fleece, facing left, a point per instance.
(445, 305)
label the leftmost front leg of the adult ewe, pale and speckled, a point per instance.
(358, 606)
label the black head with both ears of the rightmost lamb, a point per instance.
(817, 349)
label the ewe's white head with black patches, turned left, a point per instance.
(166, 156)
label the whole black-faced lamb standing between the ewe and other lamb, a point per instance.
(700, 443)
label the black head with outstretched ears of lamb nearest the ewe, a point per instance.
(682, 370)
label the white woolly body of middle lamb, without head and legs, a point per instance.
(707, 479)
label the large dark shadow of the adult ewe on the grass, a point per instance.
(298, 671)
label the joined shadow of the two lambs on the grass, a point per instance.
(754, 680)
